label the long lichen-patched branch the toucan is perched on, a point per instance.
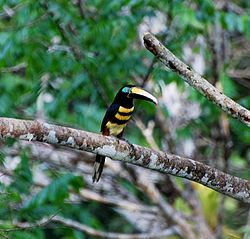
(121, 150)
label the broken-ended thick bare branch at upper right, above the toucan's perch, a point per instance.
(195, 80)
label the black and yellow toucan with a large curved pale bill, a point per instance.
(117, 117)
